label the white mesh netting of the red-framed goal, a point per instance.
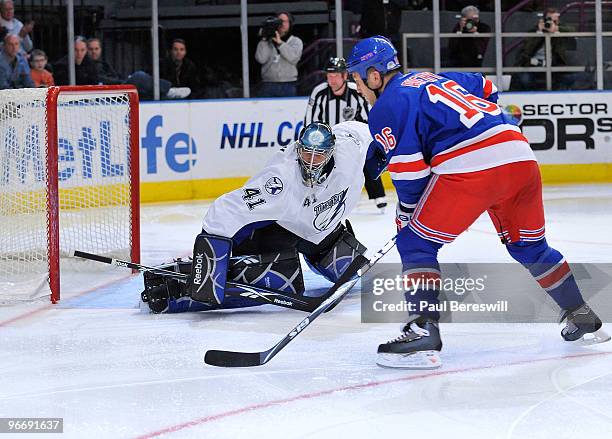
(93, 178)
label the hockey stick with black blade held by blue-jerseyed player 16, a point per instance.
(248, 359)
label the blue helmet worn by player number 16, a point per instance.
(376, 52)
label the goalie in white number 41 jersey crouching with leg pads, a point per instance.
(252, 236)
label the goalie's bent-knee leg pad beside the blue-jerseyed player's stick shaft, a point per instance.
(336, 260)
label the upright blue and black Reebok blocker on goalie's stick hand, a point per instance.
(211, 255)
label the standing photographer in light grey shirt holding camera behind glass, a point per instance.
(278, 52)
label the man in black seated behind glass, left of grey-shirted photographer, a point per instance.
(178, 69)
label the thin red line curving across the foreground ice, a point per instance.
(277, 402)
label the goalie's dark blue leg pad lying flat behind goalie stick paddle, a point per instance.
(276, 270)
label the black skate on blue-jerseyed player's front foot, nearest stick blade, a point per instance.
(417, 348)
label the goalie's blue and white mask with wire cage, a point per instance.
(315, 149)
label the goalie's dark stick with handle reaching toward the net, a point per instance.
(266, 296)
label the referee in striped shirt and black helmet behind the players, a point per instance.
(336, 100)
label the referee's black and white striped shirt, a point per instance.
(324, 106)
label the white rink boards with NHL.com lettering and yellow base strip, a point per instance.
(202, 149)
